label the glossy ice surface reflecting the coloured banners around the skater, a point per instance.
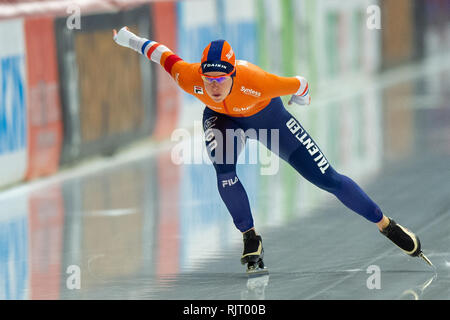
(139, 226)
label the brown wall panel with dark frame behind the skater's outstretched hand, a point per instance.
(108, 92)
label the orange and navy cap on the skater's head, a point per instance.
(218, 56)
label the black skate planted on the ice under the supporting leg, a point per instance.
(253, 253)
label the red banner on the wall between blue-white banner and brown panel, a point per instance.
(44, 109)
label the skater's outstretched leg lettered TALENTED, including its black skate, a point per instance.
(299, 149)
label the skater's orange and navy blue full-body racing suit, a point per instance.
(254, 106)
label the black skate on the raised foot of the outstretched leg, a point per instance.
(405, 240)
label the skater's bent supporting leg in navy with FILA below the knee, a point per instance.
(224, 153)
